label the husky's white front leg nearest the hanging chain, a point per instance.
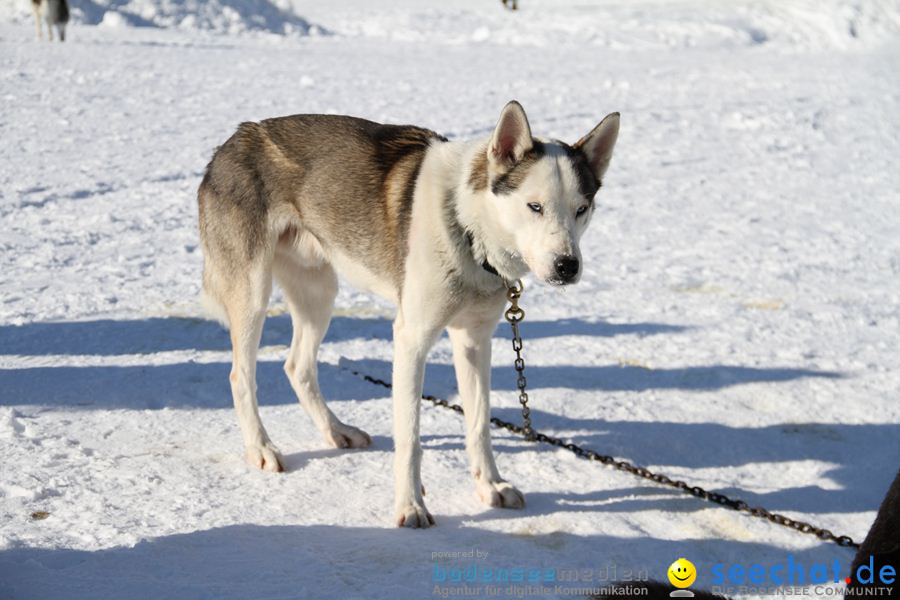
(470, 333)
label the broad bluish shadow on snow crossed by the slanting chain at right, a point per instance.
(861, 458)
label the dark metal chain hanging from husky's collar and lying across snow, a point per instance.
(515, 315)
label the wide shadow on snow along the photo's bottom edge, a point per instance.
(321, 561)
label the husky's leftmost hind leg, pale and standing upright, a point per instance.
(245, 305)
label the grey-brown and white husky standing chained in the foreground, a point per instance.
(437, 227)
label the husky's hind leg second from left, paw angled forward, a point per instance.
(310, 294)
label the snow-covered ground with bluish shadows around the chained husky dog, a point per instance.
(737, 325)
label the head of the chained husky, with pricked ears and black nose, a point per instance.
(540, 194)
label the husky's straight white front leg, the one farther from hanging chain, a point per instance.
(412, 340)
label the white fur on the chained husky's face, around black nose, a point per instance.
(542, 238)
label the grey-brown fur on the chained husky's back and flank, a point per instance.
(341, 177)
